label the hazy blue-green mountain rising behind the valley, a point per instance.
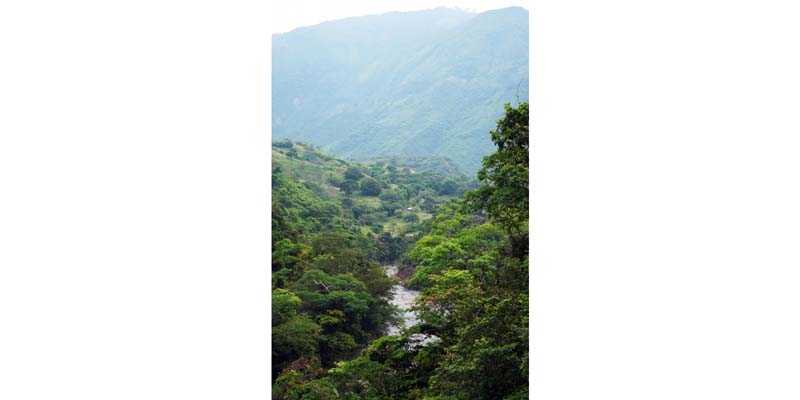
(411, 84)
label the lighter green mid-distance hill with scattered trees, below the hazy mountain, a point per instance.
(378, 196)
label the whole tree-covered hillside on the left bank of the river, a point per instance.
(333, 224)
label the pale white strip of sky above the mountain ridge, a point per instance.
(290, 14)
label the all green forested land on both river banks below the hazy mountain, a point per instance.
(337, 224)
